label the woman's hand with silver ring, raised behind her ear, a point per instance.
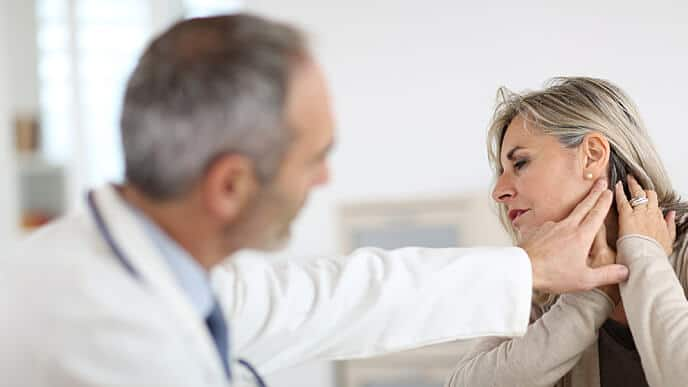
(645, 219)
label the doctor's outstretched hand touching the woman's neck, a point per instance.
(559, 251)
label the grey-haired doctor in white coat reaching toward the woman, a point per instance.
(226, 128)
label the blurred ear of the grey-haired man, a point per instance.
(229, 185)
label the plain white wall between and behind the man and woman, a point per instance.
(414, 83)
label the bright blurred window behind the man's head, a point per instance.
(87, 50)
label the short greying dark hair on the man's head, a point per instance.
(205, 88)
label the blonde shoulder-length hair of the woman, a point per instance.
(571, 107)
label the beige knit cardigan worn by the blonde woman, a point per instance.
(560, 347)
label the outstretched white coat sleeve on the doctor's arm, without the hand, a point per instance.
(372, 302)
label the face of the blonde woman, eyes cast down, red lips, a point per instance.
(541, 180)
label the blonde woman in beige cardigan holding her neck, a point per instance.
(547, 148)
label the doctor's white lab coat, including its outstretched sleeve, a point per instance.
(72, 316)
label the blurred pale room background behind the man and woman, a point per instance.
(414, 84)
